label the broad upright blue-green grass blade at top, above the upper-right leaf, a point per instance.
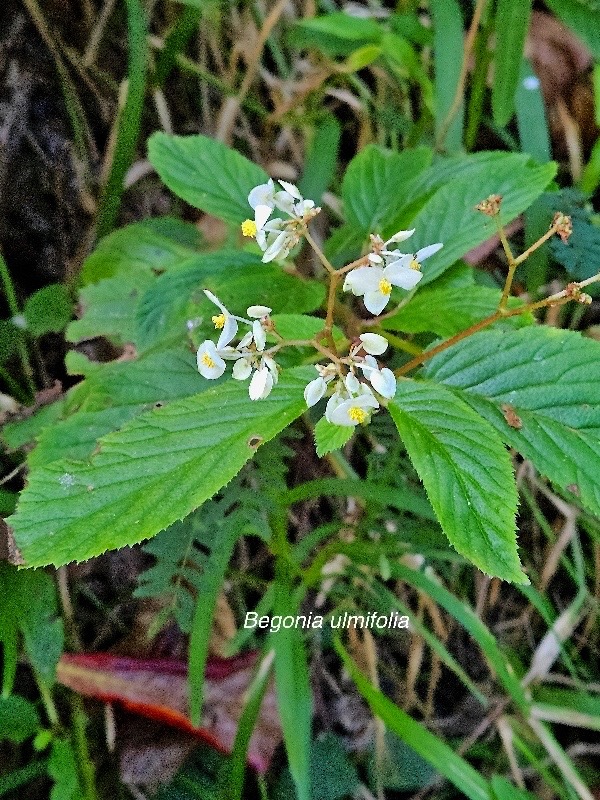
(448, 37)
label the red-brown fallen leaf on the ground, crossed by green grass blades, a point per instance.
(158, 689)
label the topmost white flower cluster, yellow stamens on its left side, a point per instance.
(276, 237)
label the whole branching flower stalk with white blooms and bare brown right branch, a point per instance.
(357, 384)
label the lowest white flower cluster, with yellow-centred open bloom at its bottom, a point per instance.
(353, 400)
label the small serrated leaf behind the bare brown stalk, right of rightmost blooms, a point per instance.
(445, 310)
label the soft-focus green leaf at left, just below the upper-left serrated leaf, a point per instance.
(151, 245)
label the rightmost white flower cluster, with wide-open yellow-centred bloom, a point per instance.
(387, 268)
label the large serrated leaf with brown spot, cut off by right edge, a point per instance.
(545, 380)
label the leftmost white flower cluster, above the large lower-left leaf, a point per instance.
(251, 360)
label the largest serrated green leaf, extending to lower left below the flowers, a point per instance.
(155, 470)
